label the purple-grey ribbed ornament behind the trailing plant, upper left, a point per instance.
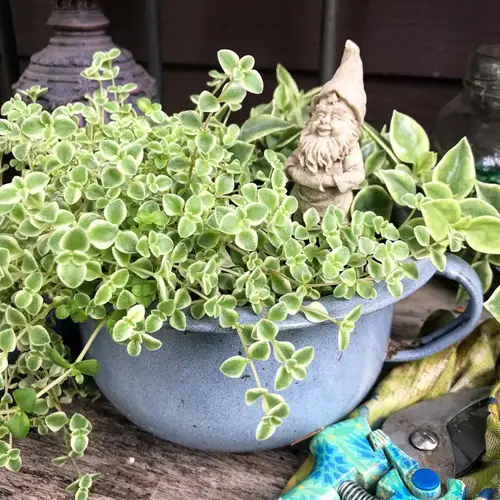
(79, 30)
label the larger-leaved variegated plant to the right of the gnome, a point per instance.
(434, 198)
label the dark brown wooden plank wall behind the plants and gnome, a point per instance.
(414, 52)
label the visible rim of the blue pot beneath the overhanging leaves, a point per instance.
(337, 308)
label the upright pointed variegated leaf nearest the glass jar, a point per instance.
(456, 169)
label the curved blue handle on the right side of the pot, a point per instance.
(461, 272)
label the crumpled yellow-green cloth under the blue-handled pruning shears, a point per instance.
(471, 363)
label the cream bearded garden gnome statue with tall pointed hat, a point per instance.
(327, 163)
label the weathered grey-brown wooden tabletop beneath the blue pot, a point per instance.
(137, 466)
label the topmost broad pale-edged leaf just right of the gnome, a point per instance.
(408, 138)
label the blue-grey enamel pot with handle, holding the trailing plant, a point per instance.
(179, 394)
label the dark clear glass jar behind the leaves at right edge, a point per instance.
(475, 113)
